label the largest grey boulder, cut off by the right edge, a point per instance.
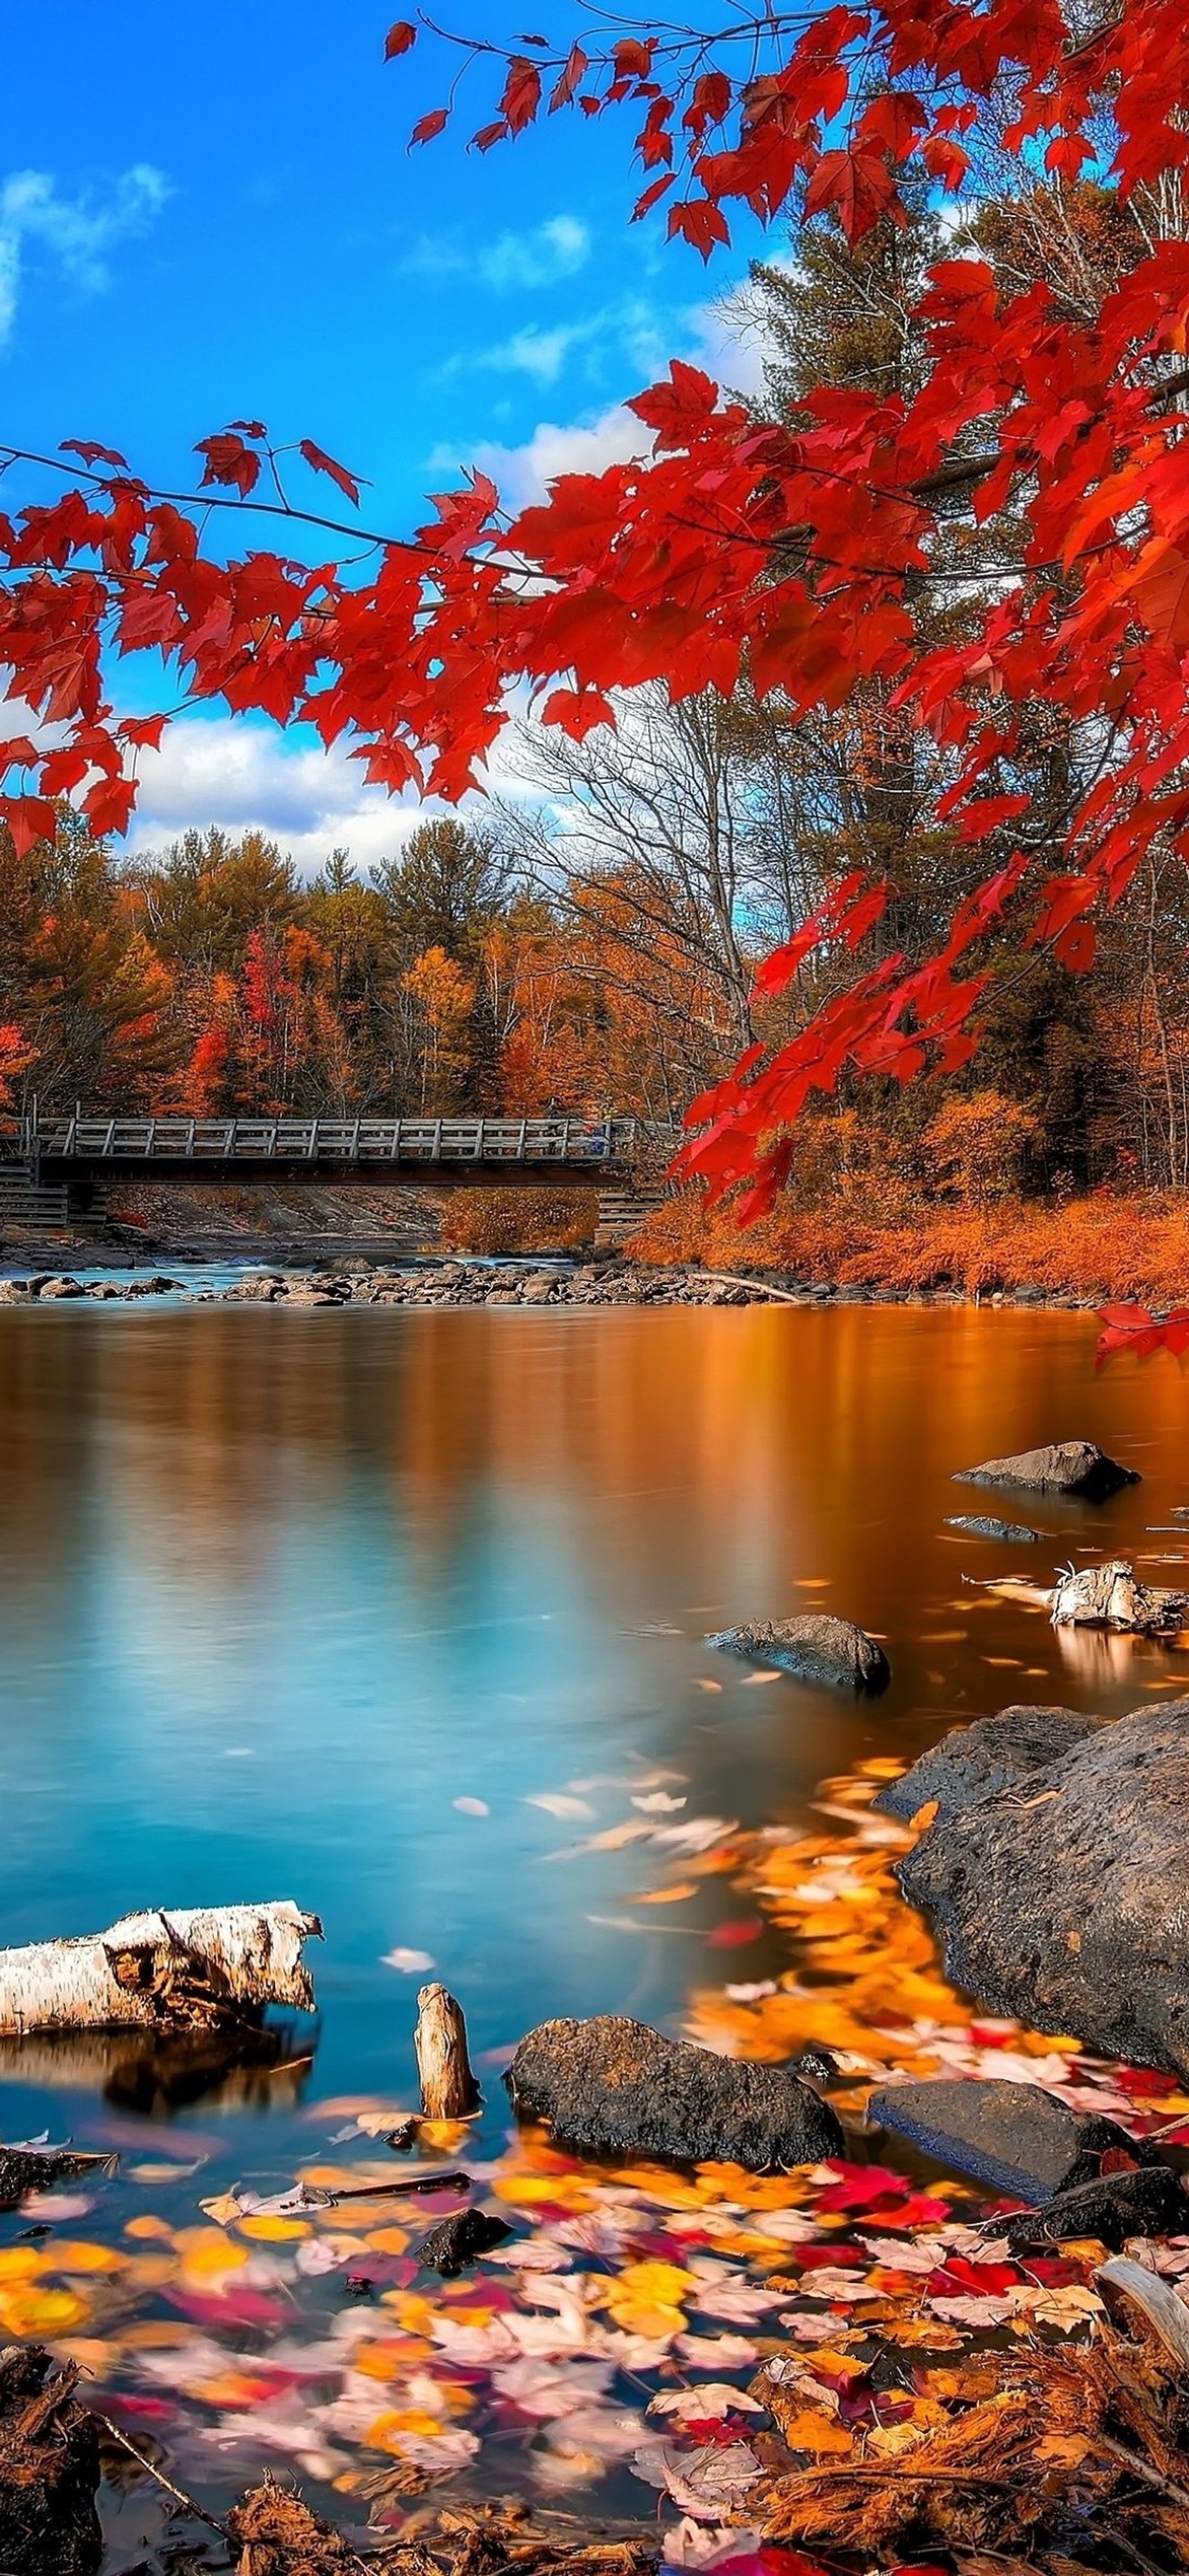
(1064, 1897)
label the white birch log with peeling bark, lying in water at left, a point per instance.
(163, 1972)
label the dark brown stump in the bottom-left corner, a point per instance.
(50, 2469)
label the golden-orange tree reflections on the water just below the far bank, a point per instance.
(745, 1452)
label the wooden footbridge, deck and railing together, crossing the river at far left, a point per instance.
(444, 1153)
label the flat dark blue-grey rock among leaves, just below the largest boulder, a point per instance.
(1013, 2137)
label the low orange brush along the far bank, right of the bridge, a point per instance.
(1098, 1248)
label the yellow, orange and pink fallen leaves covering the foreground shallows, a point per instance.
(820, 2361)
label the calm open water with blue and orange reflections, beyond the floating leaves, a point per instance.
(279, 1591)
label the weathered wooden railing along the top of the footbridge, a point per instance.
(575, 1142)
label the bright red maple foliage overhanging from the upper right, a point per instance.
(786, 555)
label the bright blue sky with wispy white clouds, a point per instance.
(212, 213)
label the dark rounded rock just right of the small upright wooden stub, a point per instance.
(614, 2088)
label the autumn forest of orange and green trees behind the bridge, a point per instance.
(593, 942)
